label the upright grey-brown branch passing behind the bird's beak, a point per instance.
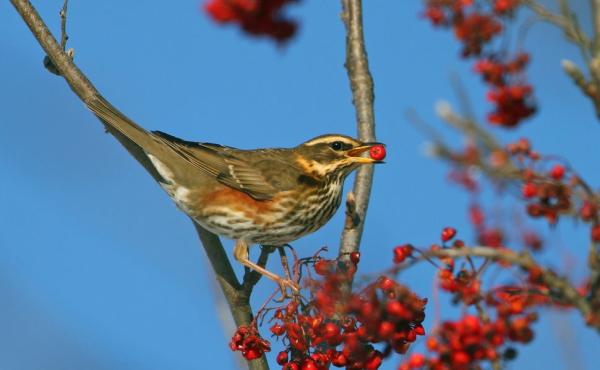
(361, 84)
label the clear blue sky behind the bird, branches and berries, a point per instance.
(99, 270)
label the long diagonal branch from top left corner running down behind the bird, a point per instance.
(237, 298)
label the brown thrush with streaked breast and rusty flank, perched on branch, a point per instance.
(269, 196)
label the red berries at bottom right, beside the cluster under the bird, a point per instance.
(468, 342)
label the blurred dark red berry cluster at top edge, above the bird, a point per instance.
(255, 17)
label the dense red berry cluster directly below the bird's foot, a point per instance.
(340, 327)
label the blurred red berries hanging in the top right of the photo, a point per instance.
(475, 29)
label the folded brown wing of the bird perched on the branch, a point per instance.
(257, 178)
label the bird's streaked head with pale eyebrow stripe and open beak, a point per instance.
(333, 155)
